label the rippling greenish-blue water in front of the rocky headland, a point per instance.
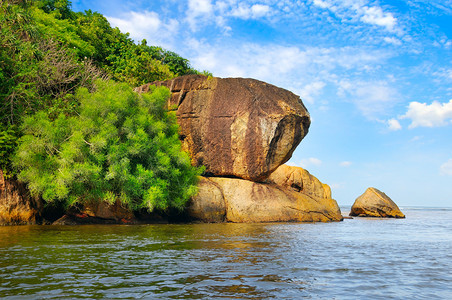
(362, 258)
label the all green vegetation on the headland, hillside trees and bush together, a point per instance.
(81, 137)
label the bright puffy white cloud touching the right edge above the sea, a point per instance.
(433, 115)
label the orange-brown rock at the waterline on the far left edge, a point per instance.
(17, 207)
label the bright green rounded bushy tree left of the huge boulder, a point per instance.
(121, 146)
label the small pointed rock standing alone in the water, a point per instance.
(374, 203)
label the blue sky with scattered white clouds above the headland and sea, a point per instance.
(375, 76)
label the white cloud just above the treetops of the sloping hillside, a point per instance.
(146, 25)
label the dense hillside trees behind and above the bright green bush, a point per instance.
(47, 51)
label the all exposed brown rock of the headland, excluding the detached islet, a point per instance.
(242, 131)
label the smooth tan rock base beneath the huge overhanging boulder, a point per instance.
(236, 200)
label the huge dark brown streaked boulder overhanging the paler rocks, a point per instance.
(236, 127)
